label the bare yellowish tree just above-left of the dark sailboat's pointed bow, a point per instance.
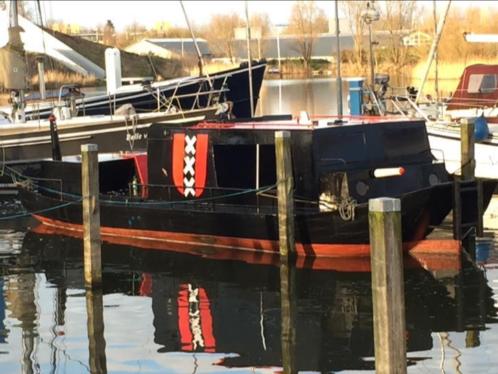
(220, 33)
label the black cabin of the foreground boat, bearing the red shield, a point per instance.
(331, 160)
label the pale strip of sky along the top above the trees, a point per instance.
(122, 13)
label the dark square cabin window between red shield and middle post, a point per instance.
(235, 165)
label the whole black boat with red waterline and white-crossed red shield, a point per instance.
(213, 185)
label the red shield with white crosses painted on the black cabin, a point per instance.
(190, 163)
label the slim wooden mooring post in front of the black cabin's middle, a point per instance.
(285, 186)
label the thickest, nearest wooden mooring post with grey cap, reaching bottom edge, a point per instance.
(384, 219)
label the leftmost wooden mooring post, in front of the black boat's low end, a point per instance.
(91, 215)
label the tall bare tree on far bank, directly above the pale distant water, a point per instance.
(306, 22)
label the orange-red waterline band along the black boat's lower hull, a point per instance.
(435, 254)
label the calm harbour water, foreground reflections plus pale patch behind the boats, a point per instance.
(163, 312)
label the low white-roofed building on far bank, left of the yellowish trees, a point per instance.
(170, 47)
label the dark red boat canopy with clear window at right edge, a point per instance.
(478, 88)
